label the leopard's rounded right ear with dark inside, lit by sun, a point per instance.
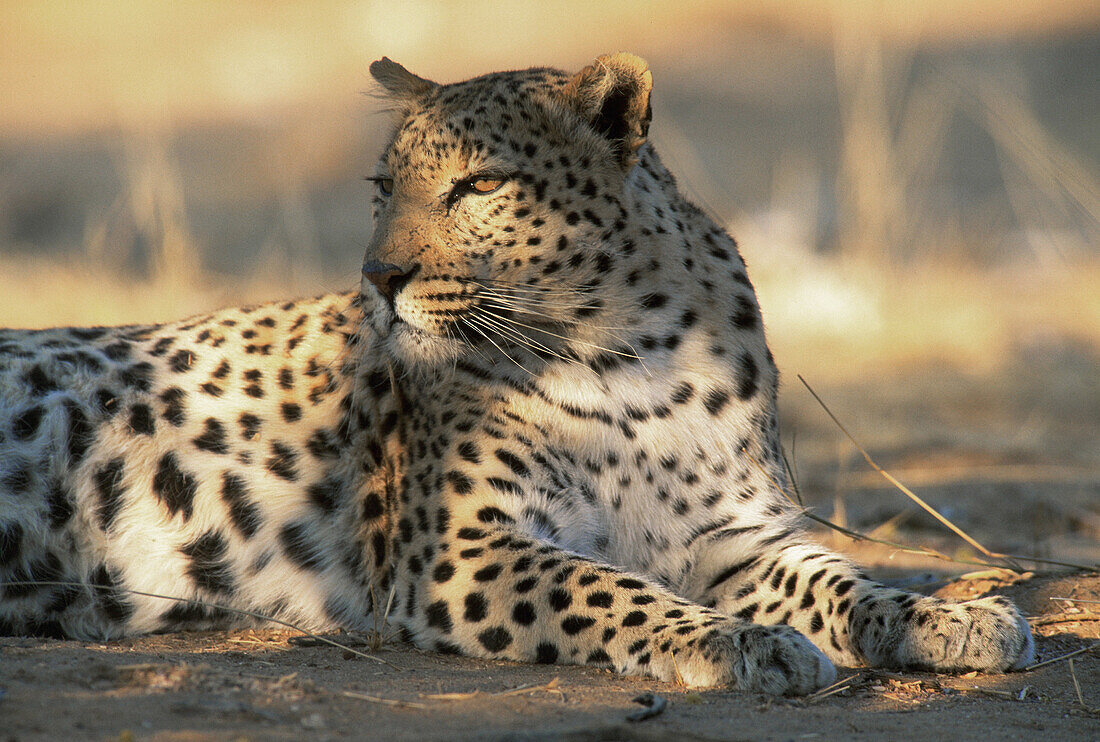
(612, 95)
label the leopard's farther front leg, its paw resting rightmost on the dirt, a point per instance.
(773, 577)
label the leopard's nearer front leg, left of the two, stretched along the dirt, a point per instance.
(496, 592)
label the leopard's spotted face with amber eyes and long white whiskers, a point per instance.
(499, 220)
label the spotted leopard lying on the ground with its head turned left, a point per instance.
(543, 429)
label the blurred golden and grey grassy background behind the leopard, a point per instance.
(915, 186)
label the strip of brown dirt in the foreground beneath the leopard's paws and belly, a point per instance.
(259, 685)
